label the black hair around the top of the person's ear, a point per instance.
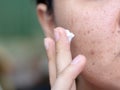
(48, 3)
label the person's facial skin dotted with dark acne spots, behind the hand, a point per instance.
(96, 25)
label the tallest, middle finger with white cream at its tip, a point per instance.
(63, 49)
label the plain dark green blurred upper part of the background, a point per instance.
(18, 17)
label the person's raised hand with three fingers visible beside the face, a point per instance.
(62, 69)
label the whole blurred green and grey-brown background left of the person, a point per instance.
(21, 41)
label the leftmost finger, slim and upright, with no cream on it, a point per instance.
(50, 48)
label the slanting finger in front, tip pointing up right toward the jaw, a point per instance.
(70, 74)
